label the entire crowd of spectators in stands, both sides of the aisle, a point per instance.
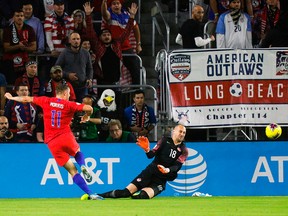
(71, 49)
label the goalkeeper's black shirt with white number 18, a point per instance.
(168, 154)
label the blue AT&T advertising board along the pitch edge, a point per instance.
(217, 168)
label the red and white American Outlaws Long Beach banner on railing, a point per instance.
(229, 87)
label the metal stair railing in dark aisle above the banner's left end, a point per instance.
(156, 10)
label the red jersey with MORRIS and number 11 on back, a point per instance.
(57, 115)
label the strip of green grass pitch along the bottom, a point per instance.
(178, 206)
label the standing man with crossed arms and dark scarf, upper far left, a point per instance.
(18, 41)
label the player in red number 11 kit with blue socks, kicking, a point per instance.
(57, 114)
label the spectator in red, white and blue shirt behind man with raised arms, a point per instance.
(115, 18)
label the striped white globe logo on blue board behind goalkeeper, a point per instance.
(192, 174)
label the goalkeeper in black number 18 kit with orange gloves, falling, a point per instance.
(169, 155)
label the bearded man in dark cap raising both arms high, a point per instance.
(108, 51)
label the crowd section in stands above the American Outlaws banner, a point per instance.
(238, 24)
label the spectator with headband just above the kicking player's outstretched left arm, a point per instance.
(30, 78)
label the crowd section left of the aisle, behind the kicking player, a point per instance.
(47, 43)
